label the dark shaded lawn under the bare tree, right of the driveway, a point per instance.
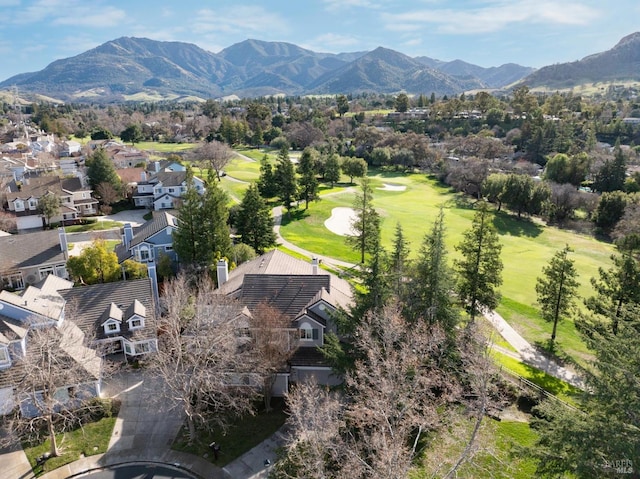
(243, 435)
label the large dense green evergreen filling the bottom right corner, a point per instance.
(602, 439)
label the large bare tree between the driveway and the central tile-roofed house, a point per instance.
(207, 367)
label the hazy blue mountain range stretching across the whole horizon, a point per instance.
(142, 69)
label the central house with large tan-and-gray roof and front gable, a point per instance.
(307, 295)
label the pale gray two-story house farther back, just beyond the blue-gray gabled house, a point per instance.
(164, 189)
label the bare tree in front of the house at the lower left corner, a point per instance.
(55, 382)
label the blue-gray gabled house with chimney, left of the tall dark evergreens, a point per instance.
(150, 241)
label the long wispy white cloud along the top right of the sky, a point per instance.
(493, 16)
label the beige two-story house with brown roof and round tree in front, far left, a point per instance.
(75, 200)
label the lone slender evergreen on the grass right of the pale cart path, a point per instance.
(556, 289)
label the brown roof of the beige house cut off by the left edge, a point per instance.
(31, 249)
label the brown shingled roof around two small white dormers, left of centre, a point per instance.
(88, 304)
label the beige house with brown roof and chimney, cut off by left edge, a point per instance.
(28, 258)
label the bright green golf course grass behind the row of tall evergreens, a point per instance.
(527, 245)
